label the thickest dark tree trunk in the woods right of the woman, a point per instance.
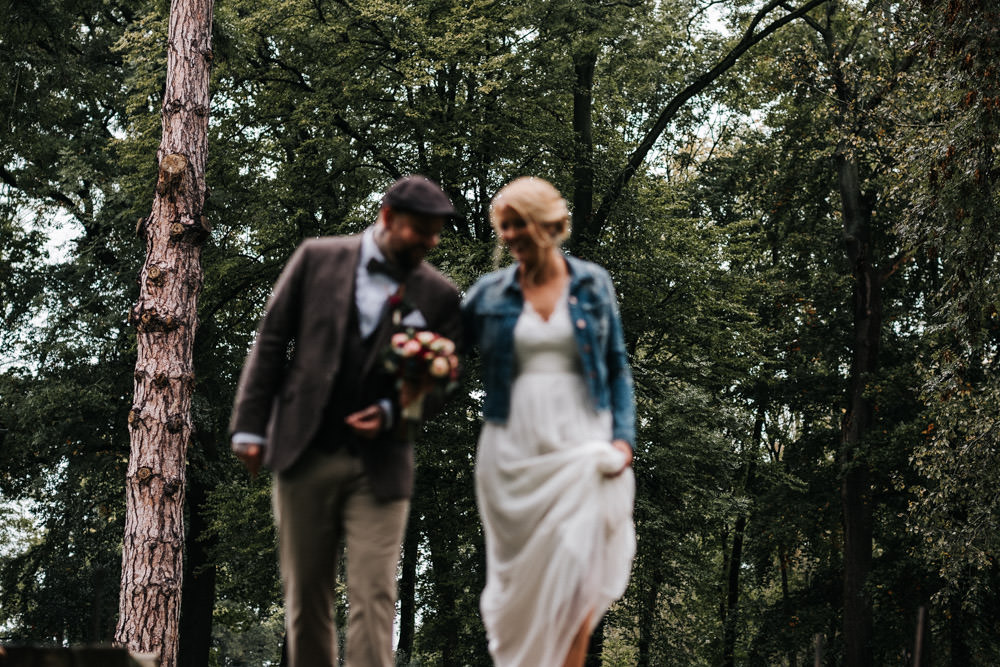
(856, 488)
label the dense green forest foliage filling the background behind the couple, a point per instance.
(727, 251)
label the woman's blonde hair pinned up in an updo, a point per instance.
(539, 204)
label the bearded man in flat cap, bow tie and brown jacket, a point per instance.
(315, 405)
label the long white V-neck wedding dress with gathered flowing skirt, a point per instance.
(559, 532)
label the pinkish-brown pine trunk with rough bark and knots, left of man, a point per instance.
(165, 317)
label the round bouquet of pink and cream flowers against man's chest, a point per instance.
(424, 360)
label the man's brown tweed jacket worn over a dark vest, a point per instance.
(292, 367)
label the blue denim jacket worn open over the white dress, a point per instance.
(490, 311)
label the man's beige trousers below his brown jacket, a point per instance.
(324, 499)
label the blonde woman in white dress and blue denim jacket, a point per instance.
(553, 478)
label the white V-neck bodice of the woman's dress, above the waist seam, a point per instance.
(546, 346)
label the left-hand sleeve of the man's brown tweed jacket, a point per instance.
(264, 370)
